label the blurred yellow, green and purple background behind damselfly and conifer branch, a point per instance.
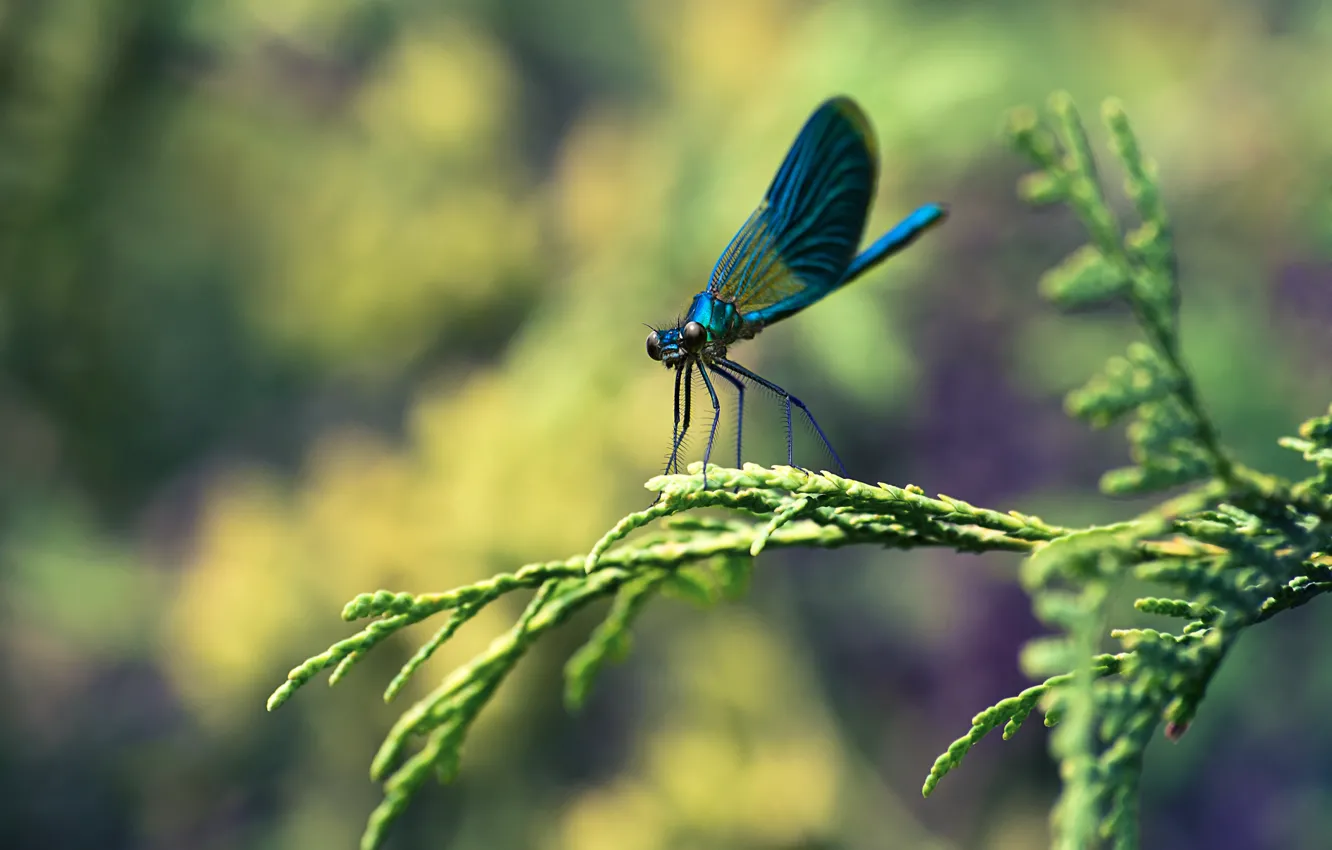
(308, 298)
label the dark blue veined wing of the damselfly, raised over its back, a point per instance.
(799, 244)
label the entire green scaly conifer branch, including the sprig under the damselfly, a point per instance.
(1231, 547)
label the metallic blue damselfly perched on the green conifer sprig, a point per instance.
(800, 246)
